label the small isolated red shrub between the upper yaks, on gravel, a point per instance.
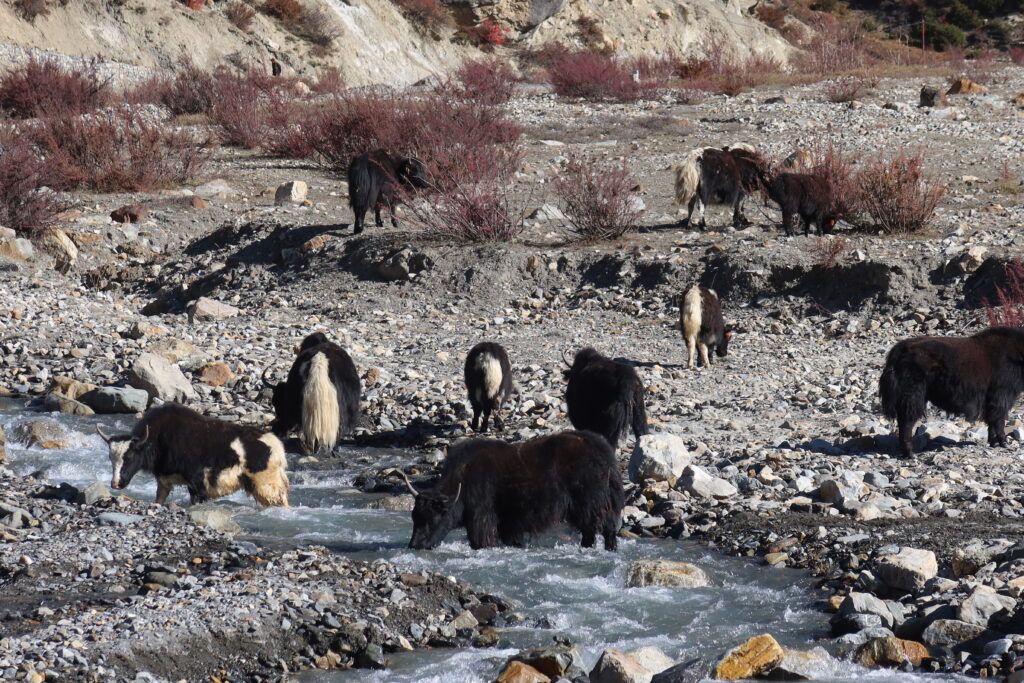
(598, 198)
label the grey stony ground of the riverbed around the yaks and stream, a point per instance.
(778, 452)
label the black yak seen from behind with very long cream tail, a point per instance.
(321, 397)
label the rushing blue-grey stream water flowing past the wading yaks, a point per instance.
(568, 590)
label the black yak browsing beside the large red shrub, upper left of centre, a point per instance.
(374, 182)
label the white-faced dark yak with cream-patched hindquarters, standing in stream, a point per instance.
(211, 457)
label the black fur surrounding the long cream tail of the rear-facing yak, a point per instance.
(345, 377)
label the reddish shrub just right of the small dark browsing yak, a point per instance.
(898, 194)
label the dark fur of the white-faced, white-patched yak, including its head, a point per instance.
(181, 442)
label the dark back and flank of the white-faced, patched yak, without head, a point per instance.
(185, 442)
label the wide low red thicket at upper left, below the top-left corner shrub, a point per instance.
(116, 151)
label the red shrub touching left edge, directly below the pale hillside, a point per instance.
(48, 89)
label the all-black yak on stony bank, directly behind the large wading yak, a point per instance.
(605, 397)
